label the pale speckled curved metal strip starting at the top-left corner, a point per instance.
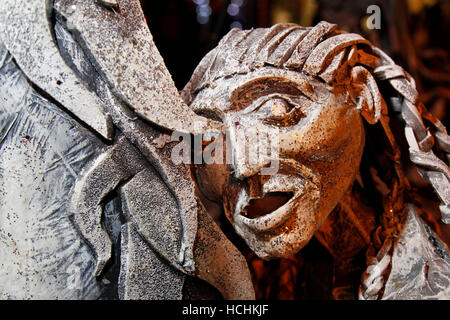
(26, 31)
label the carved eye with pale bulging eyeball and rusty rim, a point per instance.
(280, 112)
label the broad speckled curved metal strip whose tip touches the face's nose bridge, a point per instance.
(121, 47)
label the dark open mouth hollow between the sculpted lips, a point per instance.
(272, 201)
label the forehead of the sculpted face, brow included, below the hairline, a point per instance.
(226, 94)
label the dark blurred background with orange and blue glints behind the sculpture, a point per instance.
(415, 33)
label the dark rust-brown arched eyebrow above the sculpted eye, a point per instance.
(245, 94)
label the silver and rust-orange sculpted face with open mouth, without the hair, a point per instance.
(320, 139)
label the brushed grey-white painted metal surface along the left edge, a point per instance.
(42, 154)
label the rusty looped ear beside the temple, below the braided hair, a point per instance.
(367, 96)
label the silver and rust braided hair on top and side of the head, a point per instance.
(339, 58)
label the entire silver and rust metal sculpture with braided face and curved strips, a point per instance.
(93, 205)
